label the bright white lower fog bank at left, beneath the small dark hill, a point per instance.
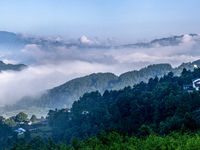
(36, 79)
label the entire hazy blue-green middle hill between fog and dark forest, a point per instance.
(64, 95)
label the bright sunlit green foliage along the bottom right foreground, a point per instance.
(114, 141)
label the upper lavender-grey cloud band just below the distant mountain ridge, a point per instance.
(188, 48)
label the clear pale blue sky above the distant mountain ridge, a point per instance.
(127, 20)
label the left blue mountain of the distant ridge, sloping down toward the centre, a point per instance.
(9, 40)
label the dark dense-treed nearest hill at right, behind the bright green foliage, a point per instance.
(160, 105)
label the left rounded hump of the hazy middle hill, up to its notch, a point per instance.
(65, 94)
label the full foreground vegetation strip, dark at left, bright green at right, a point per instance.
(115, 141)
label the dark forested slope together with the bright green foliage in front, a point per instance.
(158, 114)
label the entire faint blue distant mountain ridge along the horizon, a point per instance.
(19, 40)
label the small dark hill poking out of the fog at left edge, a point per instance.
(17, 67)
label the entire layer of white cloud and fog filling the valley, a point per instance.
(54, 65)
